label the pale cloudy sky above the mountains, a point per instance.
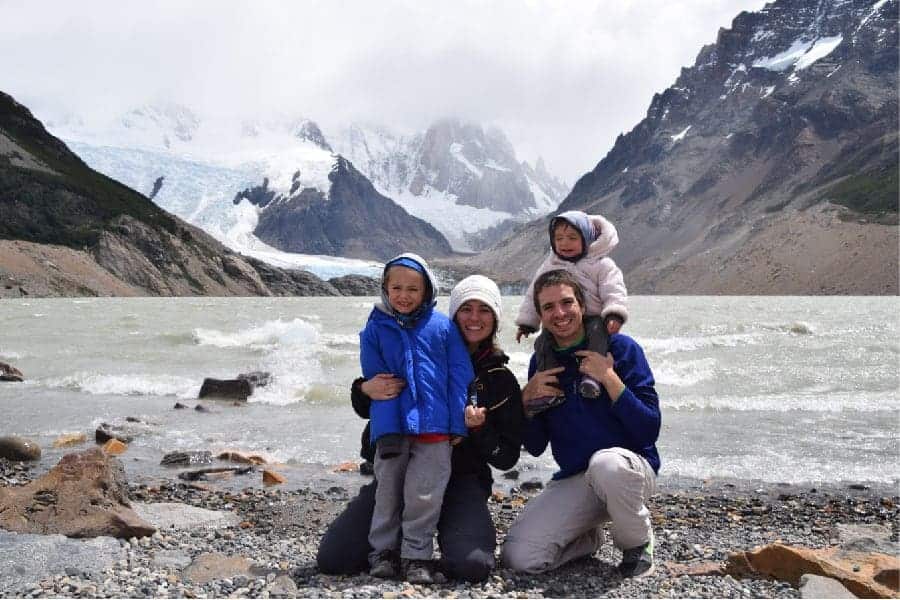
(562, 79)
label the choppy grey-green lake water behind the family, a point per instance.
(780, 389)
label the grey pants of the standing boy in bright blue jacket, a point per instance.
(408, 498)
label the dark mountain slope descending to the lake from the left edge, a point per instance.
(68, 230)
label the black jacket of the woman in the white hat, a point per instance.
(498, 441)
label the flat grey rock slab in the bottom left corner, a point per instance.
(26, 558)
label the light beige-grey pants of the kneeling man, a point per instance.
(565, 521)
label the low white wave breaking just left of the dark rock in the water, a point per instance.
(128, 384)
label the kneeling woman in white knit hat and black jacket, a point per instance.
(466, 533)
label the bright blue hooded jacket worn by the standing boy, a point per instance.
(429, 354)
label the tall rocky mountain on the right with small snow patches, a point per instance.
(769, 166)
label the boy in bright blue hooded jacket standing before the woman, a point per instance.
(406, 337)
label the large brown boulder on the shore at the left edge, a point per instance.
(85, 495)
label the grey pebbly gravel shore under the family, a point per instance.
(279, 531)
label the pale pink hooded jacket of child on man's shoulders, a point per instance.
(599, 276)
